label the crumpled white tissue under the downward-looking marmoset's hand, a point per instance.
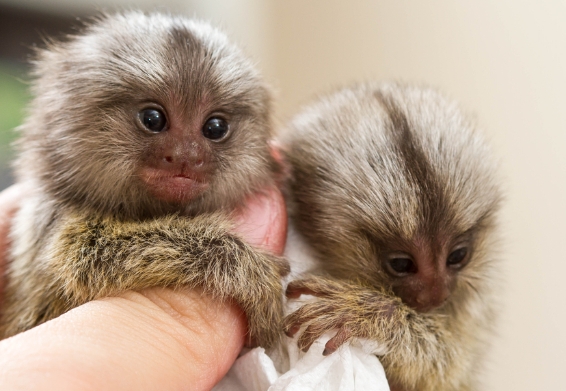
(353, 367)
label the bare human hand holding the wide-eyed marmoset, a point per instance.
(156, 339)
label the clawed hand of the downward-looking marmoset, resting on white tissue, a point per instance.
(354, 311)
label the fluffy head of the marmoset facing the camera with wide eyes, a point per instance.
(145, 115)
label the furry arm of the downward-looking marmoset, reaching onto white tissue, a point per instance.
(418, 345)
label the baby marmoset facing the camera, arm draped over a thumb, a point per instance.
(145, 131)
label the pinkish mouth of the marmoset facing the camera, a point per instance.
(177, 188)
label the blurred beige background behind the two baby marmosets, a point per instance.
(505, 61)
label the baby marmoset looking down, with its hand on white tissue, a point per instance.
(396, 192)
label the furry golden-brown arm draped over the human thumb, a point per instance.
(88, 259)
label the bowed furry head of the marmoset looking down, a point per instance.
(392, 186)
